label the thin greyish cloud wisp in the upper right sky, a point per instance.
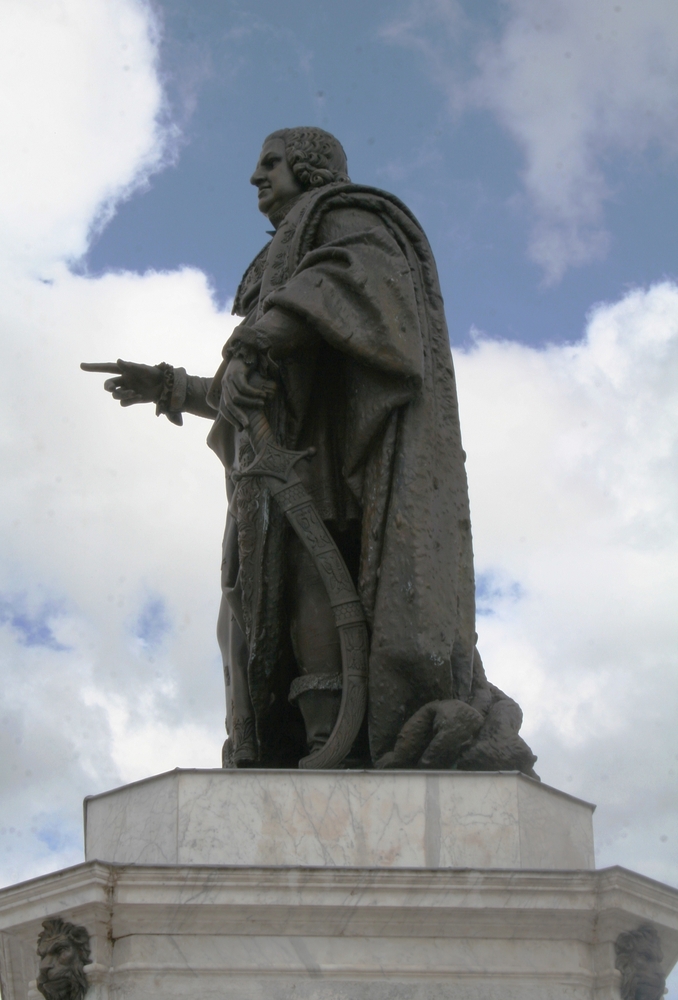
(574, 83)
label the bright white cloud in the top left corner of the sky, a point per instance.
(79, 106)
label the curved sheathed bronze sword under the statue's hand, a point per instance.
(275, 466)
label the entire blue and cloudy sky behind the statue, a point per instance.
(536, 141)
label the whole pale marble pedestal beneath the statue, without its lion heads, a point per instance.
(339, 886)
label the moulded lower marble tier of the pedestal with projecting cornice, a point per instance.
(247, 933)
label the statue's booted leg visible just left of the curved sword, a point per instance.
(315, 640)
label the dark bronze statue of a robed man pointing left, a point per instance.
(347, 624)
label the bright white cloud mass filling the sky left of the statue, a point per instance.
(109, 515)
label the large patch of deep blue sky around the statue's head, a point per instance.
(383, 77)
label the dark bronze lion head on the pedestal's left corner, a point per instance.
(63, 949)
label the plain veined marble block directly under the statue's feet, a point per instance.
(370, 819)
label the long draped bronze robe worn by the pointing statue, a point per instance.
(372, 388)
